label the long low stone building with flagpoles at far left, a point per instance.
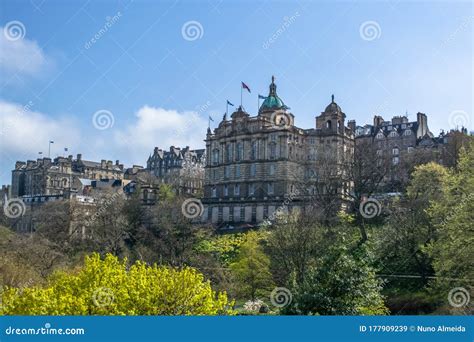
(59, 176)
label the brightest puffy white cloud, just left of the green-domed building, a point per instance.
(163, 128)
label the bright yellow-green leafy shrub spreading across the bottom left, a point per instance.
(107, 287)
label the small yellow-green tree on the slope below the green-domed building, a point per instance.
(251, 270)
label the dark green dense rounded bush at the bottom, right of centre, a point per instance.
(342, 283)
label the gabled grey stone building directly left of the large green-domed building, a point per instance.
(182, 168)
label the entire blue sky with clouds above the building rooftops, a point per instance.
(158, 82)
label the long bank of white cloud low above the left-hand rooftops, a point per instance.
(24, 132)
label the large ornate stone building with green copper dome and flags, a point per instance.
(257, 165)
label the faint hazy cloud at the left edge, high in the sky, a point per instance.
(22, 56)
